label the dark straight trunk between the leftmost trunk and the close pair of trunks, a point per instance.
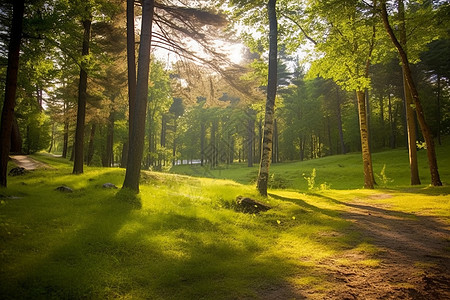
(82, 97)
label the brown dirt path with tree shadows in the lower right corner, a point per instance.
(414, 261)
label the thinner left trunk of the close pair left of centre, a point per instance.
(131, 65)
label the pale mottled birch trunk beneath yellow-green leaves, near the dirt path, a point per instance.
(365, 147)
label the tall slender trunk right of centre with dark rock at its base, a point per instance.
(264, 166)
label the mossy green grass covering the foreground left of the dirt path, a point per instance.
(183, 242)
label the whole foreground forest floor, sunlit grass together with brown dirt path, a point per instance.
(397, 245)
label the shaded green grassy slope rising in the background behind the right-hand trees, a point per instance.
(340, 172)
